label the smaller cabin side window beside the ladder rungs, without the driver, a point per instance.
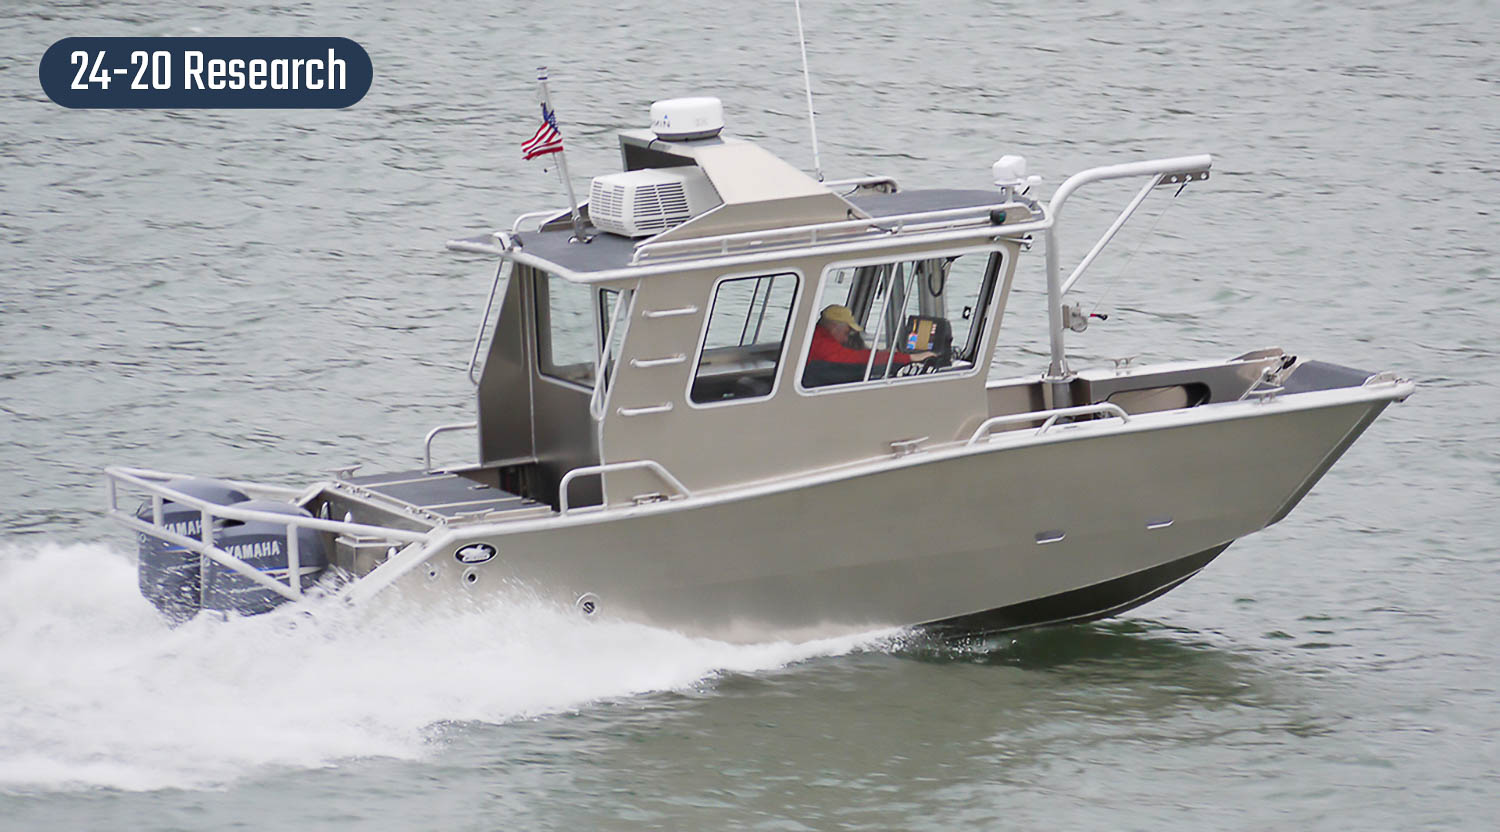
(743, 343)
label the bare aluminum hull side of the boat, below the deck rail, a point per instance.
(938, 537)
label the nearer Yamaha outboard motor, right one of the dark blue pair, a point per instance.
(260, 545)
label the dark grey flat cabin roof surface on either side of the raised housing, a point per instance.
(610, 253)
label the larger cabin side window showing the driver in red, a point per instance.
(901, 319)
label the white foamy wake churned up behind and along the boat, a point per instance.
(98, 692)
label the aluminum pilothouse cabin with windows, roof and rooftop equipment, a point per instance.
(677, 332)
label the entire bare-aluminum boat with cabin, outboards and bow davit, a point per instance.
(658, 443)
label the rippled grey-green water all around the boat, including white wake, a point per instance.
(266, 295)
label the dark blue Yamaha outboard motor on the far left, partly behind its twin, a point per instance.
(169, 575)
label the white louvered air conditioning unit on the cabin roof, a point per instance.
(650, 202)
